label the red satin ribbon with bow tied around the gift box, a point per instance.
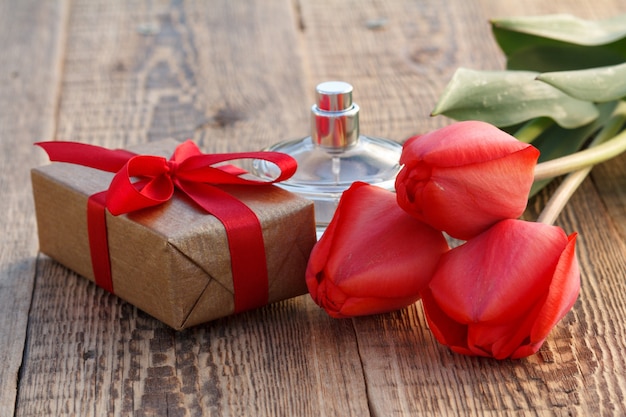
(143, 181)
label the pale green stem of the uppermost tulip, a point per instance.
(600, 150)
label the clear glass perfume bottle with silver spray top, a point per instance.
(335, 155)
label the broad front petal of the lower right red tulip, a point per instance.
(498, 275)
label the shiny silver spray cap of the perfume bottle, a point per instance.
(335, 118)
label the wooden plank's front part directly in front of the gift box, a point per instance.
(96, 355)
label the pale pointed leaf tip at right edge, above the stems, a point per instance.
(595, 84)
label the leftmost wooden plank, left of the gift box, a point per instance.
(31, 37)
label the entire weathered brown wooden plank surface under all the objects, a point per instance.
(237, 75)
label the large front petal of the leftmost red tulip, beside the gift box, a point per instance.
(381, 242)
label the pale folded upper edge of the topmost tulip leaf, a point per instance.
(567, 28)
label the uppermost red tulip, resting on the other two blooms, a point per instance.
(465, 177)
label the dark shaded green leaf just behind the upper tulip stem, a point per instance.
(556, 141)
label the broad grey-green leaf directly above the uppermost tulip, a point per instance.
(505, 98)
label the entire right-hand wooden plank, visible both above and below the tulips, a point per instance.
(399, 70)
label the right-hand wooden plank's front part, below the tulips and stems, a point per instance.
(579, 370)
